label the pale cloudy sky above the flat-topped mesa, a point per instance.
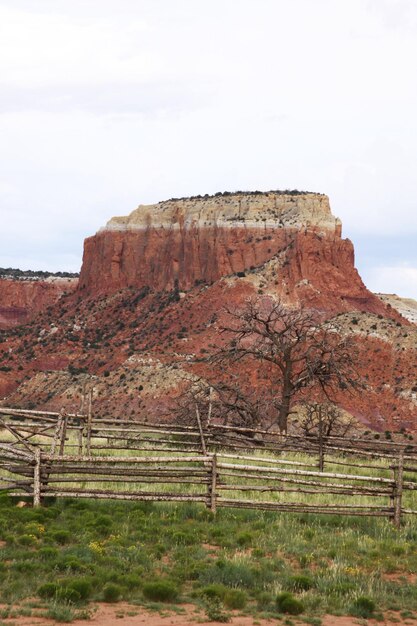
(107, 104)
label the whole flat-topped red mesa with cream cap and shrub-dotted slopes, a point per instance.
(152, 289)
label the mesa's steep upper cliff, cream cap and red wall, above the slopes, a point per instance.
(183, 243)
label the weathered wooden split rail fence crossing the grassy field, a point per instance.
(46, 454)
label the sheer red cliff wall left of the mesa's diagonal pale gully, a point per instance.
(161, 258)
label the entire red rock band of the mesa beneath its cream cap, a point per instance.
(313, 268)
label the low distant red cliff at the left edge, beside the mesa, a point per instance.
(21, 300)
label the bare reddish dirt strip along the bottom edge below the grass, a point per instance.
(129, 615)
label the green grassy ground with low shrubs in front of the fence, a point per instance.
(71, 552)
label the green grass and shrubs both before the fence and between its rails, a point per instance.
(60, 558)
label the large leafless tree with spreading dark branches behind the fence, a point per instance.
(298, 349)
